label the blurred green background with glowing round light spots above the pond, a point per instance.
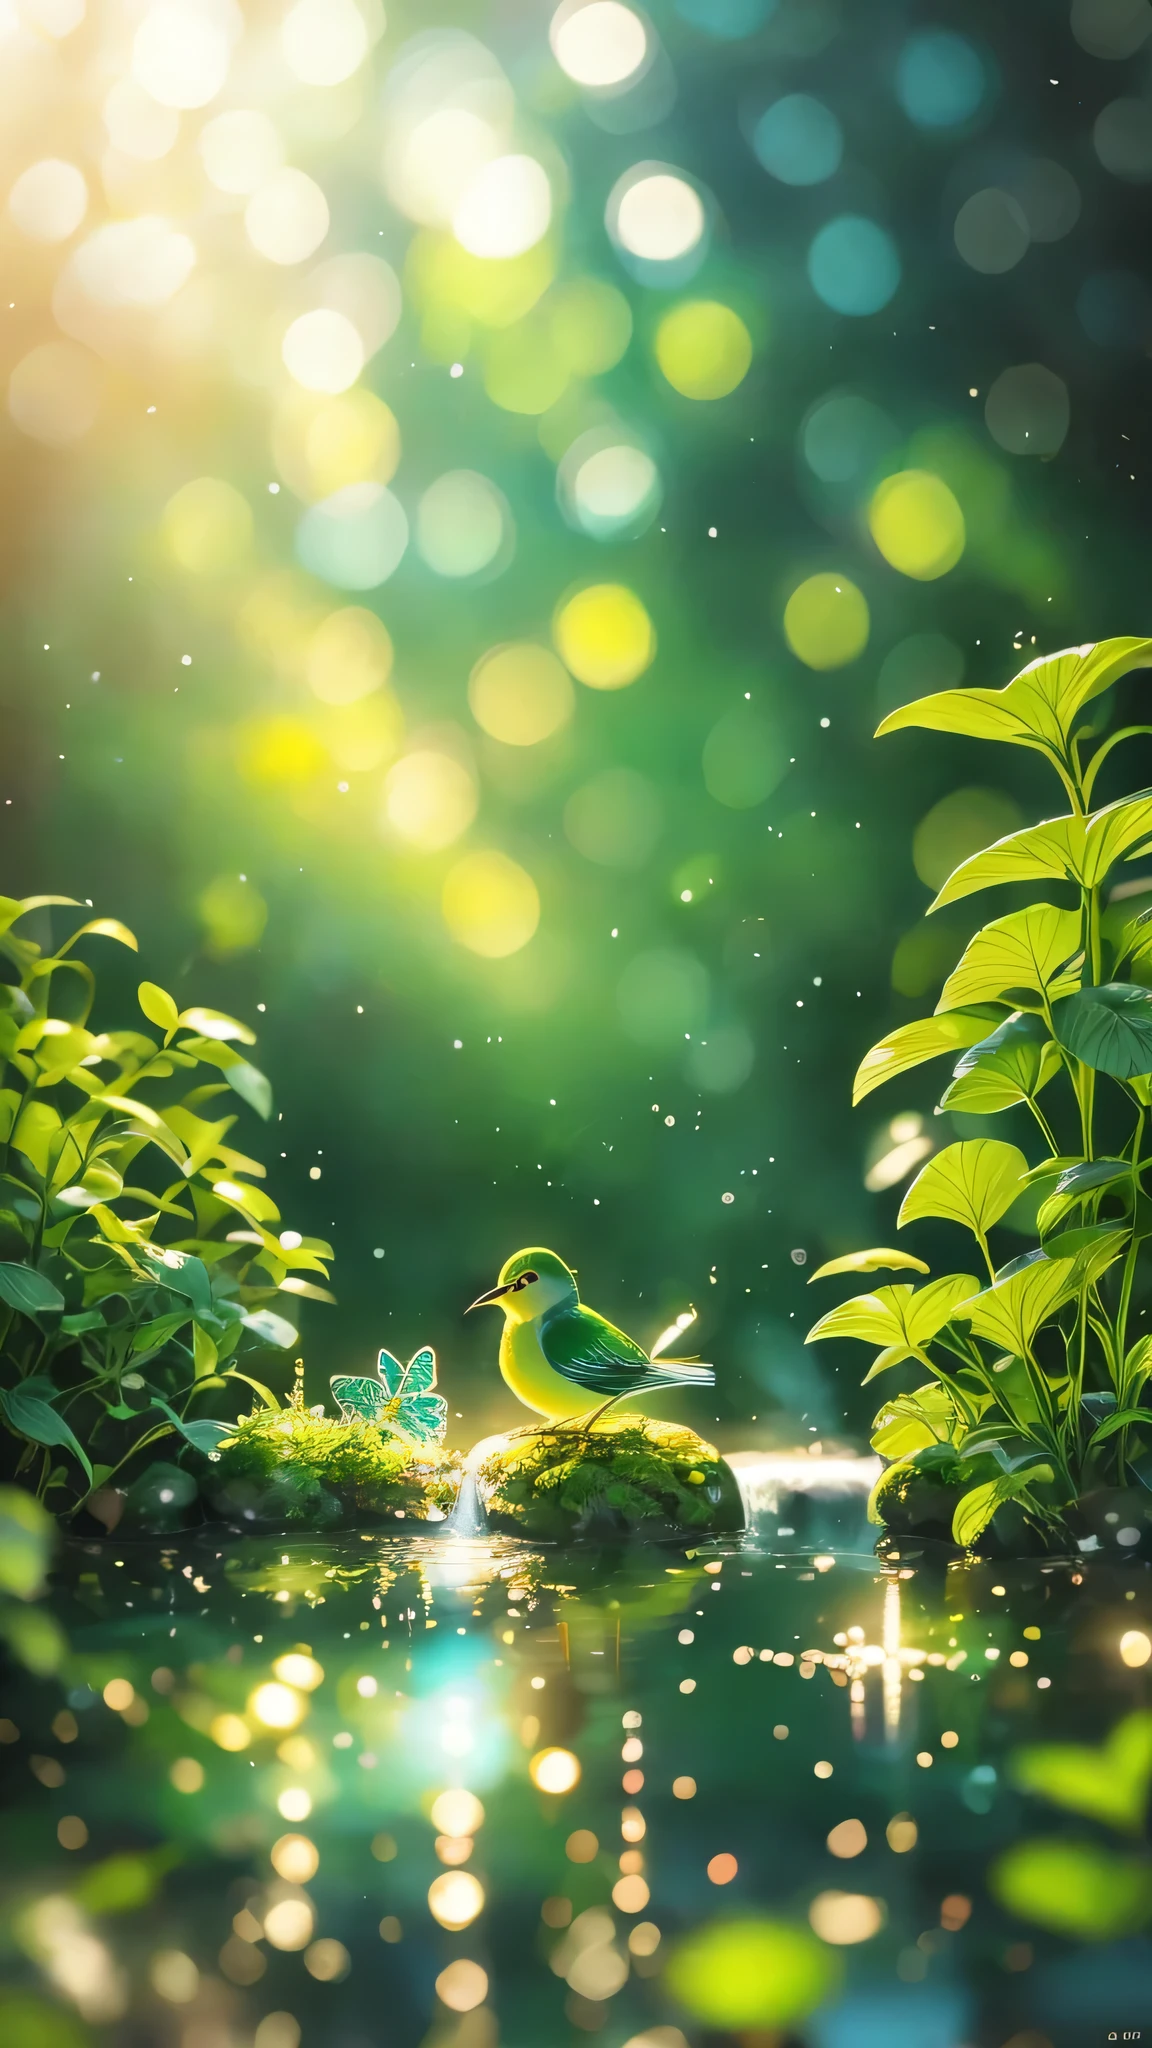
(452, 572)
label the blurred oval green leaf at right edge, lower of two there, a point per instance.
(1075, 1887)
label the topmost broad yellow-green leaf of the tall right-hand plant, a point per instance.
(1038, 708)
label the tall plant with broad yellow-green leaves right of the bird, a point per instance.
(1034, 1367)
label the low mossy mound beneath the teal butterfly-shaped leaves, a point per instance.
(288, 1469)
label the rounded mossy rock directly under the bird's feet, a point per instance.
(626, 1478)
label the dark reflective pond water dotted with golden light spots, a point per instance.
(768, 1791)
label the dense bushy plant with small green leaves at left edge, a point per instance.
(138, 1254)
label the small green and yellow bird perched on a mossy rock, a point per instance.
(557, 1353)
